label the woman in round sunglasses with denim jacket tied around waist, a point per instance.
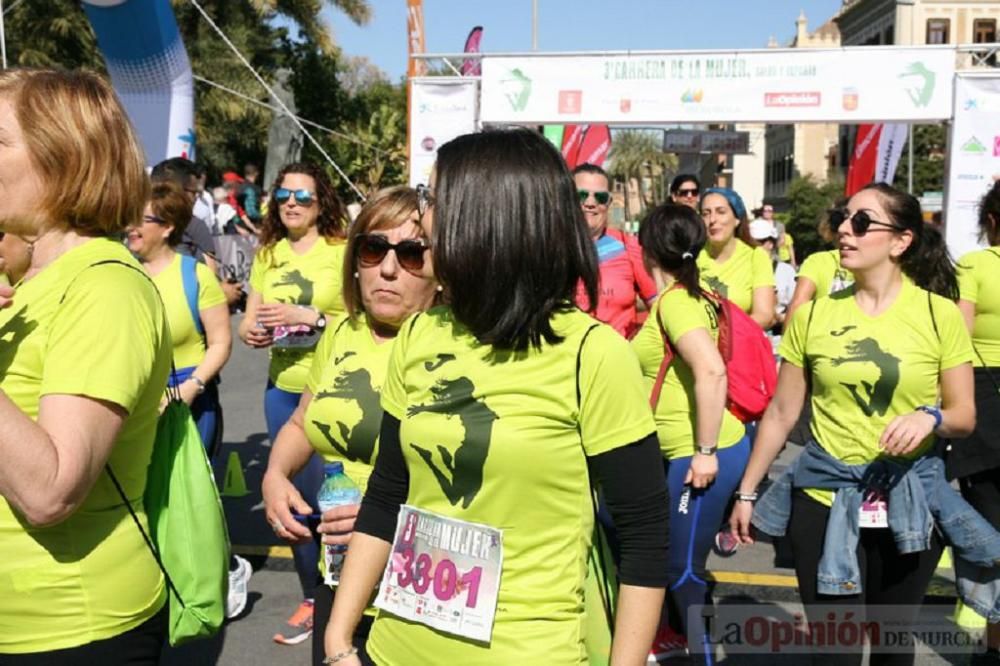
(875, 355)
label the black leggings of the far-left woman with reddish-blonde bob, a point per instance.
(137, 647)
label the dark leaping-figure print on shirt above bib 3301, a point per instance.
(454, 397)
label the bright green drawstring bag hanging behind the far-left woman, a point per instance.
(187, 526)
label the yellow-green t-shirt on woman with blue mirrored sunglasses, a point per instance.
(312, 279)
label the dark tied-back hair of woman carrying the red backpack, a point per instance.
(671, 236)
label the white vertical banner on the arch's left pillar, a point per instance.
(441, 108)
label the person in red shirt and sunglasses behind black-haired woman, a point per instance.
(623, 279)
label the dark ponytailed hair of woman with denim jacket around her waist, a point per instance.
(926, 261)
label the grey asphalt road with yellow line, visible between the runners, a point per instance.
(753, 578)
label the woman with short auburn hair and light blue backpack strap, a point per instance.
(196, 307)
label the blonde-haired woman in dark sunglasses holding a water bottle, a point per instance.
(387, 278)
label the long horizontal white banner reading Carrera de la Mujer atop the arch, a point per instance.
(850, 85)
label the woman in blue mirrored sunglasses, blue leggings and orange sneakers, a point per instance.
(295, 286)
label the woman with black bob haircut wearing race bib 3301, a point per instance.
(499, 408)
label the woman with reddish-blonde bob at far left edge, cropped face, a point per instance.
(84, 357)
